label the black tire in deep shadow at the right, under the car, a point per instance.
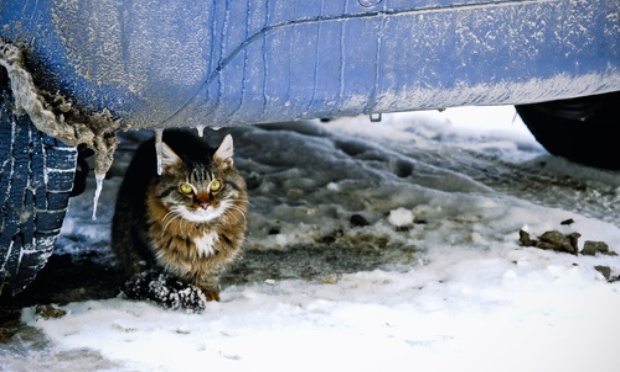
(585, 130)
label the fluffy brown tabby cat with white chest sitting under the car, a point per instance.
(188, 222)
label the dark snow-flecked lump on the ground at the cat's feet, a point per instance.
(166, 291)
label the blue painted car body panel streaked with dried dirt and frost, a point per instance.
(183, 63)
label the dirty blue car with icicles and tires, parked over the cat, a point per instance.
(75, 72)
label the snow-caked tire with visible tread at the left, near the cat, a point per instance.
(36, 178)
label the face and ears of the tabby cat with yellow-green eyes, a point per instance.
(200, 191)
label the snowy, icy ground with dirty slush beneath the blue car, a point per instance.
(389, 246)
